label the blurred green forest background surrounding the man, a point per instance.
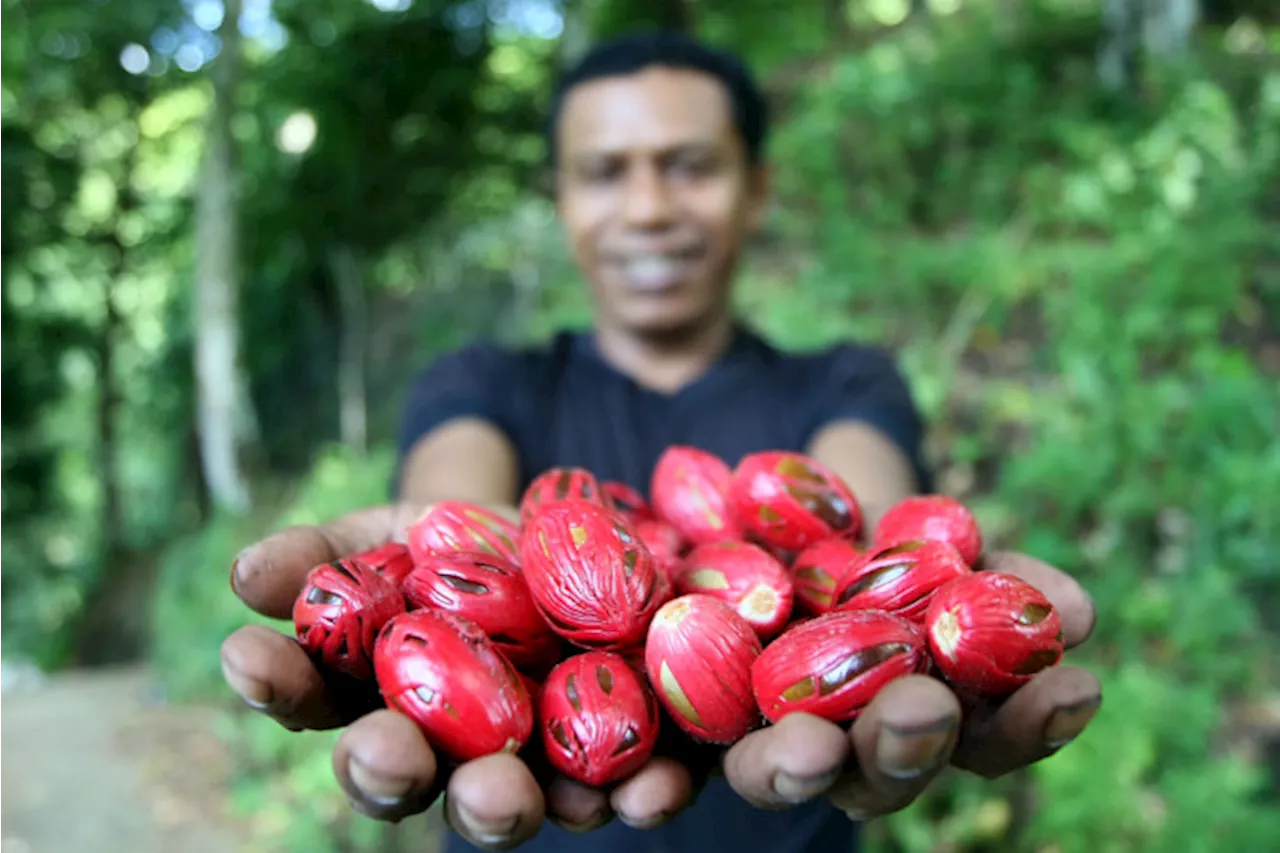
(225, 252)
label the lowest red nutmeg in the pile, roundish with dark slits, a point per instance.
(598, 719)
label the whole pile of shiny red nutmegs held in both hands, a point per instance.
(726, 600)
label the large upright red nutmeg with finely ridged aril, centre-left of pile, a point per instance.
(591, 576)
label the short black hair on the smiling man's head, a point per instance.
(638, 51)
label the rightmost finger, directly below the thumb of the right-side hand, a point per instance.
(1040, 719)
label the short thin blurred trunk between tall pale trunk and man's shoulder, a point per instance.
(354, 321)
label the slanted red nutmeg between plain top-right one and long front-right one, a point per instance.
(900, 580)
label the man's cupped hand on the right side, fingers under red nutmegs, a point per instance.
(915, 728)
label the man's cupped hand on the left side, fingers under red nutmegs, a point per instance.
(383, 763)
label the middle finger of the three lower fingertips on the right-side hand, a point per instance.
(903, 740)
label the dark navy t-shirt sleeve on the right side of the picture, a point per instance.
(866, 385)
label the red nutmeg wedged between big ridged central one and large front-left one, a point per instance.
(492, 594)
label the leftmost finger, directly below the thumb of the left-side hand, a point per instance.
(275, 676)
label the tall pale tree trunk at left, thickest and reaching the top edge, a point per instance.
(223, 412)
